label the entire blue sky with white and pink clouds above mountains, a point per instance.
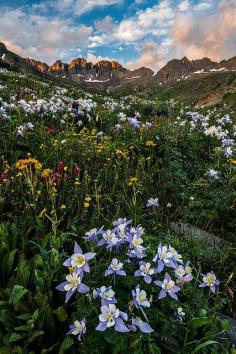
(134, 32)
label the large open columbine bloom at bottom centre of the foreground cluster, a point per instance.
(111, 316)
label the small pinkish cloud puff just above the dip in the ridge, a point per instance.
(151, 56)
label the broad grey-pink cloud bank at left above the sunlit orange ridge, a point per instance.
(39, 37)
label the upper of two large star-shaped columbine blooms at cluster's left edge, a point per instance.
(79, 260)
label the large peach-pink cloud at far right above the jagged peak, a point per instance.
(206, 35)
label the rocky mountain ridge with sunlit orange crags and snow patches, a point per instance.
(109, 75)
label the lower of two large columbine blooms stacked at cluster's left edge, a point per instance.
(72, 283)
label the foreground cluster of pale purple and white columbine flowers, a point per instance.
(125, 240)
